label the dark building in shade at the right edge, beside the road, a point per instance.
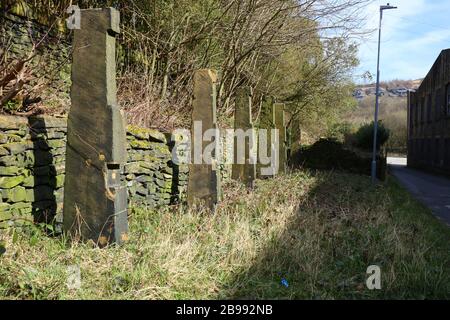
(429, 119)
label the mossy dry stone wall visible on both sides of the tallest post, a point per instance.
(32, 156)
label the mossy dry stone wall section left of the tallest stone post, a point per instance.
(31, 167)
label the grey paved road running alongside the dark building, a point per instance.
(432, 190)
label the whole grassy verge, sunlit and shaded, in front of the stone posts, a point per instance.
(319, 231)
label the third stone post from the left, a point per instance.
(244, 165)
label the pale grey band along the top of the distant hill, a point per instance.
(394, 88)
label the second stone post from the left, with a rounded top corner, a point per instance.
(204, 177)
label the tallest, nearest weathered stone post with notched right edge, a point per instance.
(95, 195)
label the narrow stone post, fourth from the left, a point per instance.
(266, 125)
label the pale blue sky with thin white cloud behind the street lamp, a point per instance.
(412, 38)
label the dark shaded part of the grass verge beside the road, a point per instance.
(342, 227)
